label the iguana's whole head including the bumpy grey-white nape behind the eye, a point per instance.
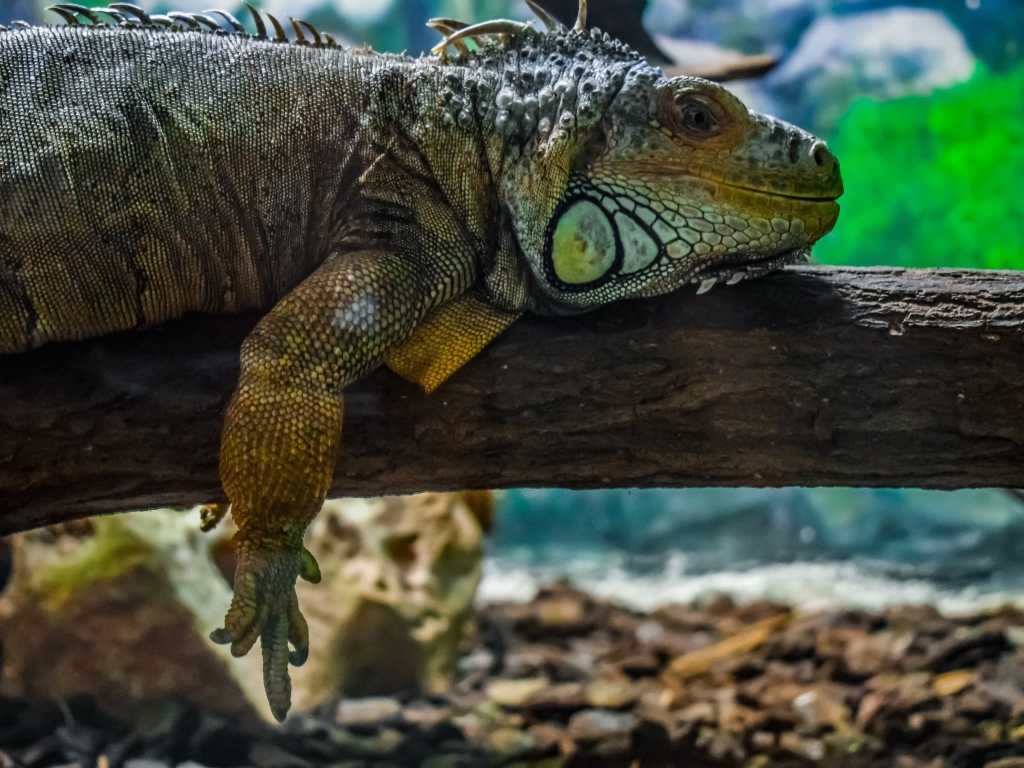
(620, 183)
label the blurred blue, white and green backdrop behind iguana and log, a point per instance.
(923, 102)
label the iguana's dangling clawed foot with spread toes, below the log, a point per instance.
(266, 607)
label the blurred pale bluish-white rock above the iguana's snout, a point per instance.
(882, 55)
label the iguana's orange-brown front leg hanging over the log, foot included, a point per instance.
(283, 435)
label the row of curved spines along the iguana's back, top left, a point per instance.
(214, 22)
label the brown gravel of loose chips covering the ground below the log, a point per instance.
(571, 680)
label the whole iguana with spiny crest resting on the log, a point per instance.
(381, 209)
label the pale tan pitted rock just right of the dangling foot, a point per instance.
(400, 575)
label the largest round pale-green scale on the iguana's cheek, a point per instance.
(584, 247)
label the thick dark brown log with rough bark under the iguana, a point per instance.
(813, 377)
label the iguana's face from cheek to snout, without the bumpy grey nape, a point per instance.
(677, 184)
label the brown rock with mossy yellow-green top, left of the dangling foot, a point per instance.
(121, 608)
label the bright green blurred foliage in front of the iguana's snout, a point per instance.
(934, 181)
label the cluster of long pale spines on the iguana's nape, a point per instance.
(506, 35)
